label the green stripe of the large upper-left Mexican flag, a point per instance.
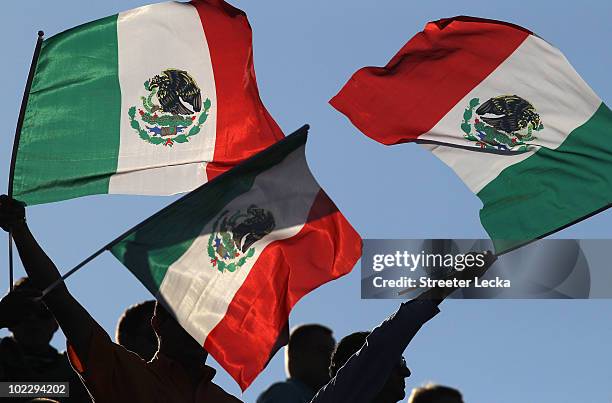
(70, 139)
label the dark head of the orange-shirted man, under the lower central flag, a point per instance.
(174, 341)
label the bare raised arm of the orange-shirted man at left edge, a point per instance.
(75, 321)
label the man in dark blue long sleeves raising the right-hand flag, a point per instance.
(369, 367)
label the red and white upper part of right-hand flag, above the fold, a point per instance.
(471, 82)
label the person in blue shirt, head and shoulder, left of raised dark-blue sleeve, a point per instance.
(307, 360)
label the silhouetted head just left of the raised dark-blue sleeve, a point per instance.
(308, 354)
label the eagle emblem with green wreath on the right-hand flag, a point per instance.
(505, 122)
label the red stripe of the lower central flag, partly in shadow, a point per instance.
(326, 248)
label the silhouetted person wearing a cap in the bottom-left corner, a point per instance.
(26, 355)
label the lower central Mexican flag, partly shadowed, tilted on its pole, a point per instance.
(233, 257)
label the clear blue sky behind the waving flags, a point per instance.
(494, 351)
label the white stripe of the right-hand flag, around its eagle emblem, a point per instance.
(537, 72)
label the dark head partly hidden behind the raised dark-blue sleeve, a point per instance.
(394, 389)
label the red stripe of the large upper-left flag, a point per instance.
(244, 126)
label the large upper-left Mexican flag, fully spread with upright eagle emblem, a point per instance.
(156, 100)
